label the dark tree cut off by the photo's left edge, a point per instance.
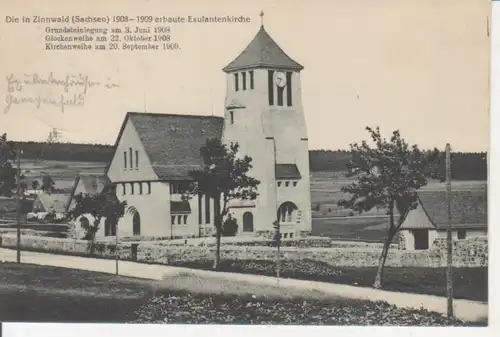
(8, 172)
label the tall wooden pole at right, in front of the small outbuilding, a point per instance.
(449, 243)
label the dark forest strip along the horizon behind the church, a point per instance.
(465, 166)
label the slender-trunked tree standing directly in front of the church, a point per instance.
(223, 178)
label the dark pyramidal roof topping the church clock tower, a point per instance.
(263, 51)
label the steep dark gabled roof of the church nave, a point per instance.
(173, 142)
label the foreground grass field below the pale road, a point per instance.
(48, 294)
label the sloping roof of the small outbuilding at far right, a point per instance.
(469, 209)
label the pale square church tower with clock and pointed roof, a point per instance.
(264, 115)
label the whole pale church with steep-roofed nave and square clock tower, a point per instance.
(263, 114)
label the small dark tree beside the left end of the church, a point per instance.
(104, 205)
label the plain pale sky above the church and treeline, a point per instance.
(418, 66)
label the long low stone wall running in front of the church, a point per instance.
(471, 252)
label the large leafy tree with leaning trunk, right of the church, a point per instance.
(388, 176)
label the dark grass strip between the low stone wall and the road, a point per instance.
(468, 283)
